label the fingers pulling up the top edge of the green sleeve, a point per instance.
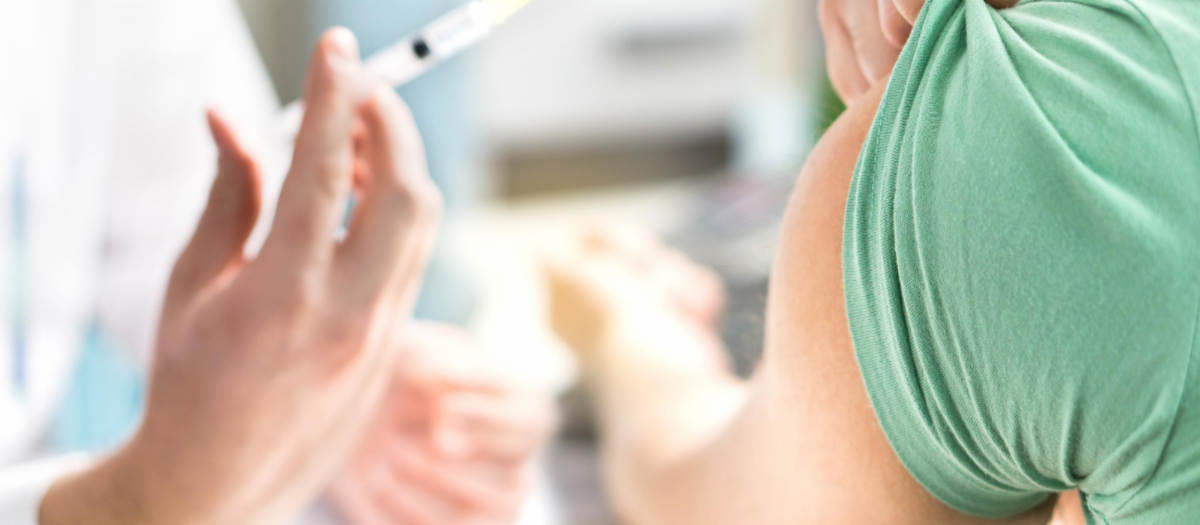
(865, 38)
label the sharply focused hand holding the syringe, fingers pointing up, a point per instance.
(268, 371)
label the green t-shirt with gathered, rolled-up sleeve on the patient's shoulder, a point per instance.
(1022, 257)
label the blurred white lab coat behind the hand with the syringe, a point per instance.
(105, 104)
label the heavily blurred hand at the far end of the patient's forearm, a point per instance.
(608, 283)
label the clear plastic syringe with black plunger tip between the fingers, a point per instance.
(411, 58)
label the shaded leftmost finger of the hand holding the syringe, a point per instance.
(229, 220)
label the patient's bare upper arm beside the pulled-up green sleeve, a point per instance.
(807, 448)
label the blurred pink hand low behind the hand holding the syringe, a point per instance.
(452, 445)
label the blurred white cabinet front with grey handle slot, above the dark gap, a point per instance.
(569, 73)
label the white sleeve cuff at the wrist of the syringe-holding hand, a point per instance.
(22, 487)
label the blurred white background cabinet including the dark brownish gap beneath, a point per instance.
(585, 92)
